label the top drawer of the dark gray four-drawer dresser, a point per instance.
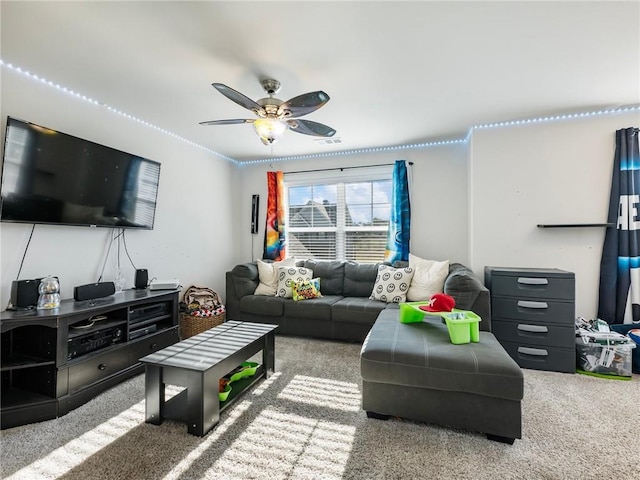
(529, 285)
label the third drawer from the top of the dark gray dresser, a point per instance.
(552, 335)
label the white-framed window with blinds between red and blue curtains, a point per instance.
(340, 218)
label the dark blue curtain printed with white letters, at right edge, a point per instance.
(619, 293)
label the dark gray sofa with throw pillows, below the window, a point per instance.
(345, 311)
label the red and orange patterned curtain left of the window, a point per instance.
(274, 232)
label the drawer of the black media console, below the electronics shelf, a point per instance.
(97, 367)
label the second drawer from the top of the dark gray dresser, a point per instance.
(536, 311)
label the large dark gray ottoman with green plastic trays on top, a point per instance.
(413, 371)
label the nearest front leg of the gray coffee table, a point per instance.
(203, 407)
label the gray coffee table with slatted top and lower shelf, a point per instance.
(197, 364)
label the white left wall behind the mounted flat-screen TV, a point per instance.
(194, 215)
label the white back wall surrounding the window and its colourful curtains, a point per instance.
(438, 197)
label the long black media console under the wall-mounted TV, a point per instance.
(56, 360)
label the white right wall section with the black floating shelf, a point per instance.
(556, 172)
